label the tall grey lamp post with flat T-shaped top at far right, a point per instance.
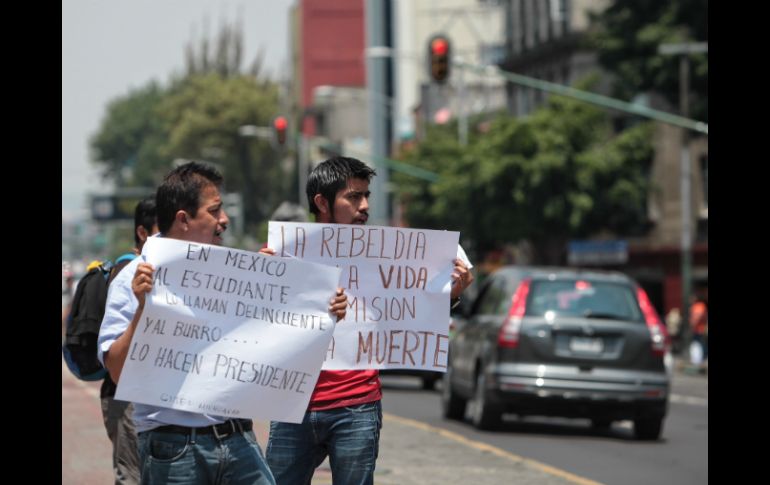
(683, 50)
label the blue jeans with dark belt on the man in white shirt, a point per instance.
(202, 459)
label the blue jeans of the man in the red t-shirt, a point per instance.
(350, 436)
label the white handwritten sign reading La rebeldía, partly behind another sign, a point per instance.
(397, 281)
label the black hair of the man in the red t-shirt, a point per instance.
(332, 175)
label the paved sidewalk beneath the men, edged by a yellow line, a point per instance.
(411, 452)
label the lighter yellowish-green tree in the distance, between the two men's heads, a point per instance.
(203, 117)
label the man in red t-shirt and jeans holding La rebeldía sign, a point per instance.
(344, 416)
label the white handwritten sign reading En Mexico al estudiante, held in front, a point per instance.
(229, 332)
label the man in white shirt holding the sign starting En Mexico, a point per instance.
(174, 445)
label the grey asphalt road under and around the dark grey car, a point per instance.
(611, 457)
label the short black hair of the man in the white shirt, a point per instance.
(181, 190)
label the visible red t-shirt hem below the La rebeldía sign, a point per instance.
(339, 388)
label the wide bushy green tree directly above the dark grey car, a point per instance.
(559, 174)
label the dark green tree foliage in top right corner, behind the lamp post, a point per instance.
(627, 37)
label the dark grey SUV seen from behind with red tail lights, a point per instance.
(559, 342)
